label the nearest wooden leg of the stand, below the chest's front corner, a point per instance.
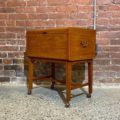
(68, 82)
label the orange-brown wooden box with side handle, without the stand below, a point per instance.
(63, 43)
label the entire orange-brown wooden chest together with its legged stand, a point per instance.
(68, 45)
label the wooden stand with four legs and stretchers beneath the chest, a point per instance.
(69, 84)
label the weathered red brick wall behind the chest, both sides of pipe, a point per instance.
(16, 16)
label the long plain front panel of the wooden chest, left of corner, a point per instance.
(47, 45)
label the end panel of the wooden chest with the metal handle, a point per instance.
(82, 44)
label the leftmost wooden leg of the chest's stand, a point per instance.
(30, 76)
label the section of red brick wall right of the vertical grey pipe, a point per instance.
(107, 63)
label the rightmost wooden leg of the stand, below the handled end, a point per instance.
(90, 78)
